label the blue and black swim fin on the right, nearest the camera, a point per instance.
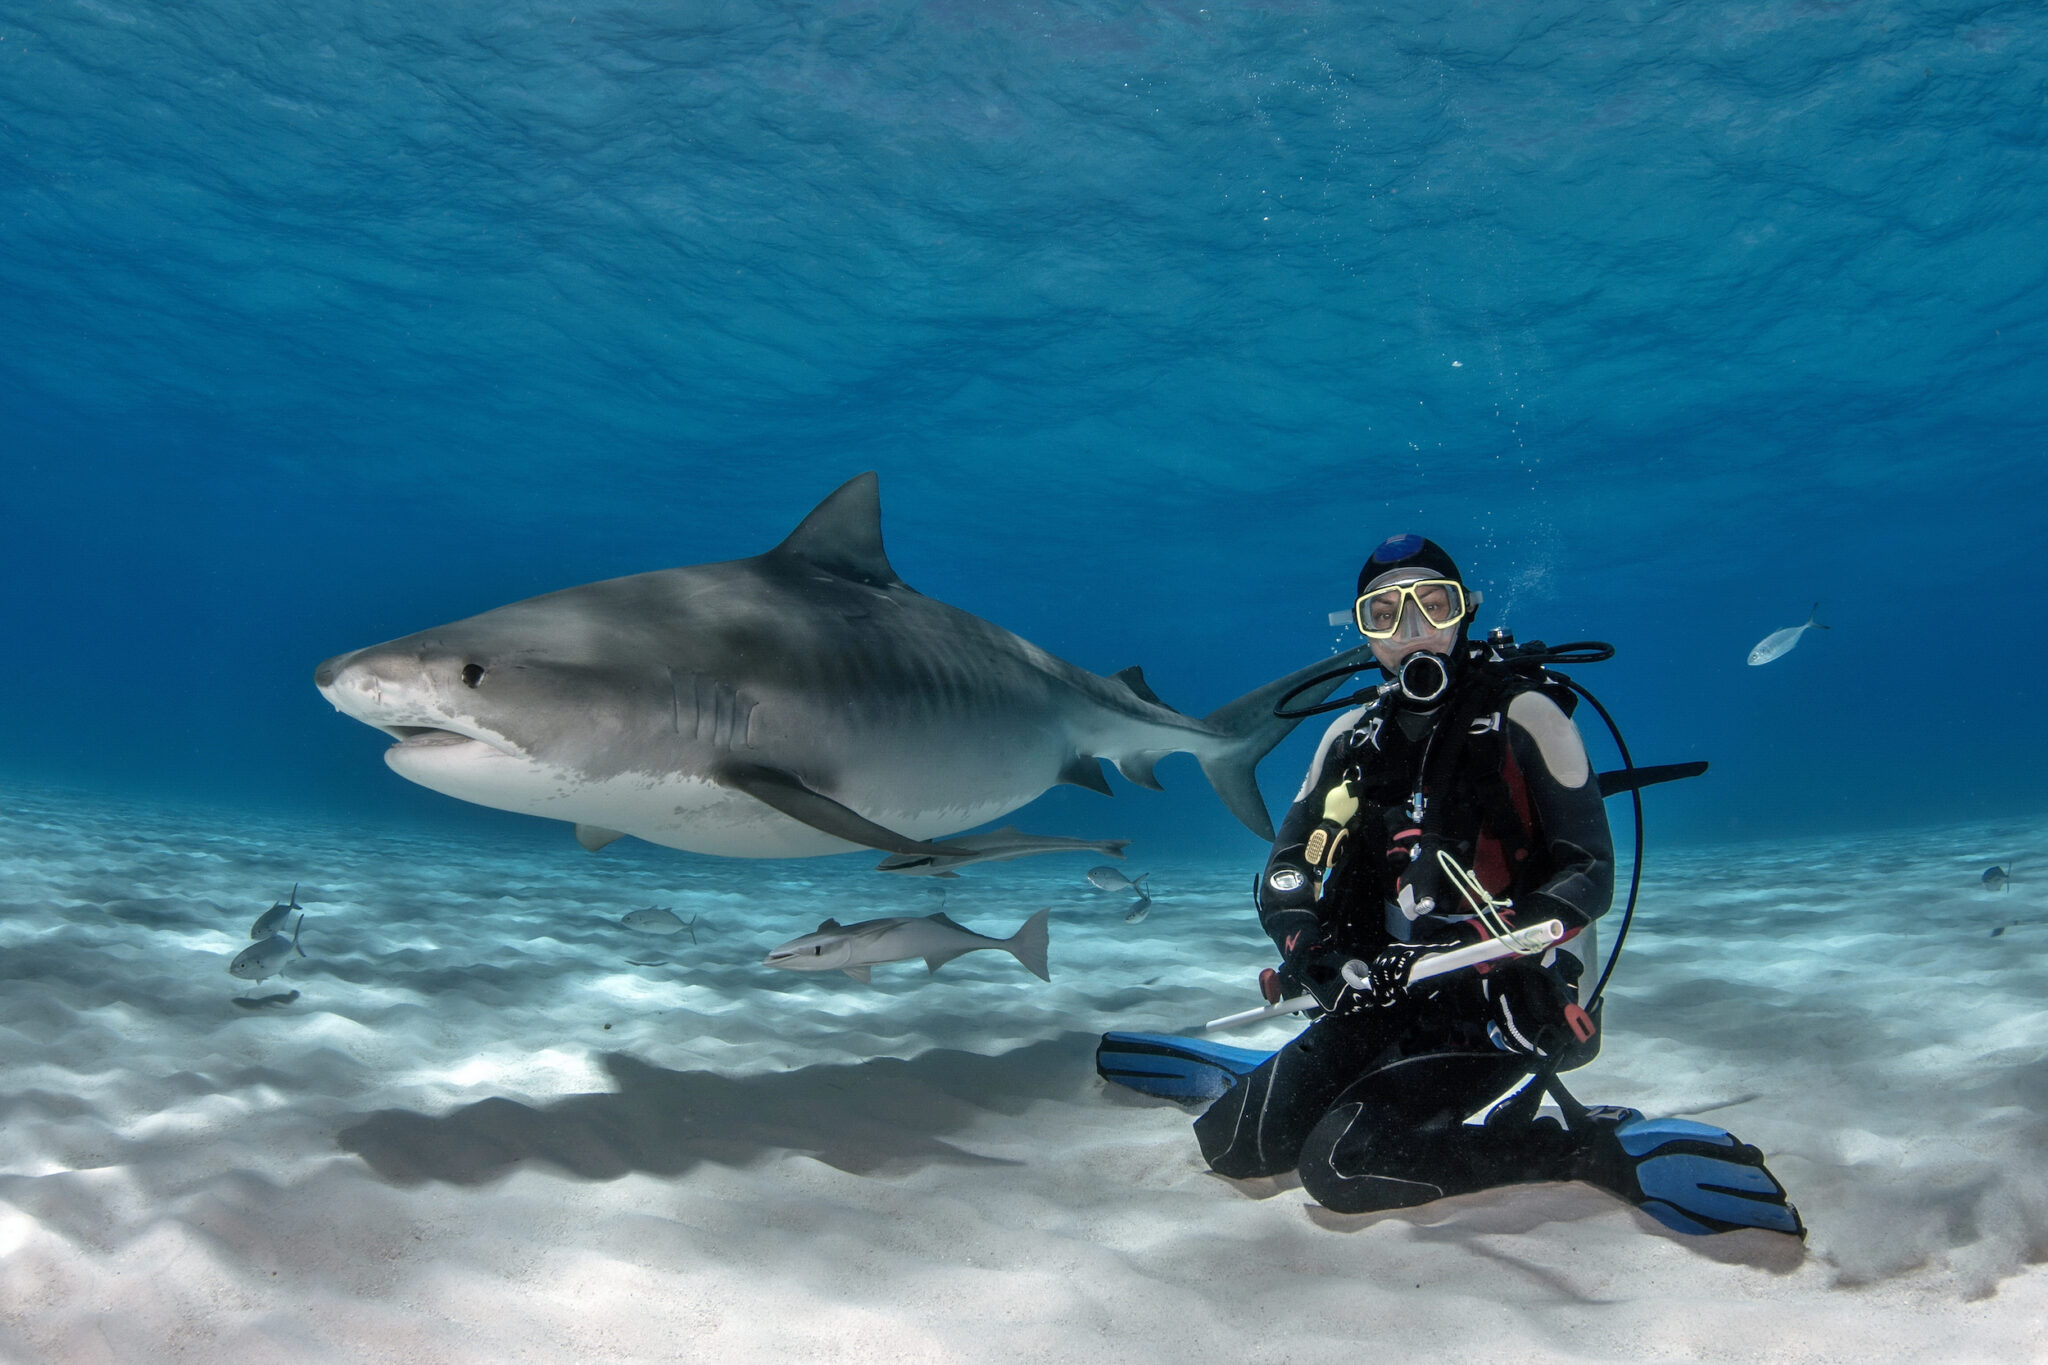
(1691, 1178)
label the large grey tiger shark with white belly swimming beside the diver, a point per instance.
(798, 703)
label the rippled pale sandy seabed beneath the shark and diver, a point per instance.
(499, 1127)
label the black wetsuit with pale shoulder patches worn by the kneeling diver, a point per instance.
(1371, 1106)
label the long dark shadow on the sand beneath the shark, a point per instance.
(871, 1118)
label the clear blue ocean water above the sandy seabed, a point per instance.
(327, 324)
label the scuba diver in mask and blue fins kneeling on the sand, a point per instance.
(1453, 807)
